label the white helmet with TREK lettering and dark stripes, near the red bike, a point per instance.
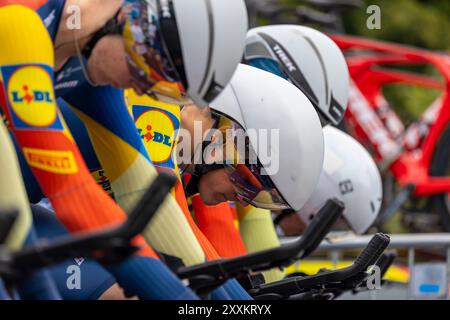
(307, 58)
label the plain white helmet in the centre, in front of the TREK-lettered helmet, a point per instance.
(286, 141)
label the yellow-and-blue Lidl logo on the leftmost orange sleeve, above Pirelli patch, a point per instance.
(31, 100)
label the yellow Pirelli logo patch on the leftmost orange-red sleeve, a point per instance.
(60, 162)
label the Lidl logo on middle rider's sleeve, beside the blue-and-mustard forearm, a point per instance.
(157, 128)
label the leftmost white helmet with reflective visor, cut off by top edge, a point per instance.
(183, 49)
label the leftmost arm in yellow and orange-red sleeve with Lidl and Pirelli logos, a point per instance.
(49, 149)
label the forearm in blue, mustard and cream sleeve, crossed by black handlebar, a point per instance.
(122, 155)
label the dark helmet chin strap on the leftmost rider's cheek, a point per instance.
(111, 27)
